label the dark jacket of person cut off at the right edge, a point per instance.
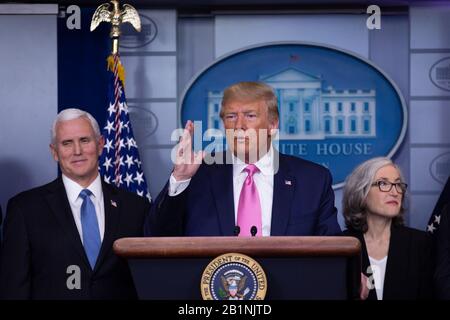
(442, 274)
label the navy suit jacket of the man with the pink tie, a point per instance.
(303, 203)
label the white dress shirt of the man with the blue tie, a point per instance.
(73, 190)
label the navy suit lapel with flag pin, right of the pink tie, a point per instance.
(283, 192)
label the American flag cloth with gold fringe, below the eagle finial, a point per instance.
(120, 162)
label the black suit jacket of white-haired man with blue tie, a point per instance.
(41, 241)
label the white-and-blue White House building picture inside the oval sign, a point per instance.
(307, 111)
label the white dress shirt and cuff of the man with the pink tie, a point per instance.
(263, 180)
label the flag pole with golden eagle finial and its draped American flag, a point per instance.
(120, 161)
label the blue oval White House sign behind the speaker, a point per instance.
(336, 109)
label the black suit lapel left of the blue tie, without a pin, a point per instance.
(59, 203)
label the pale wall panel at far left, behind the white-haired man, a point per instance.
(28, 97)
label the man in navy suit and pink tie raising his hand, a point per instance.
(258, 191)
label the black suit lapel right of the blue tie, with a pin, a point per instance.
(112, 209)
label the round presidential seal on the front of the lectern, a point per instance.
(233, 276)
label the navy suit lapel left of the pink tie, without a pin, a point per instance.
(222, 186)
